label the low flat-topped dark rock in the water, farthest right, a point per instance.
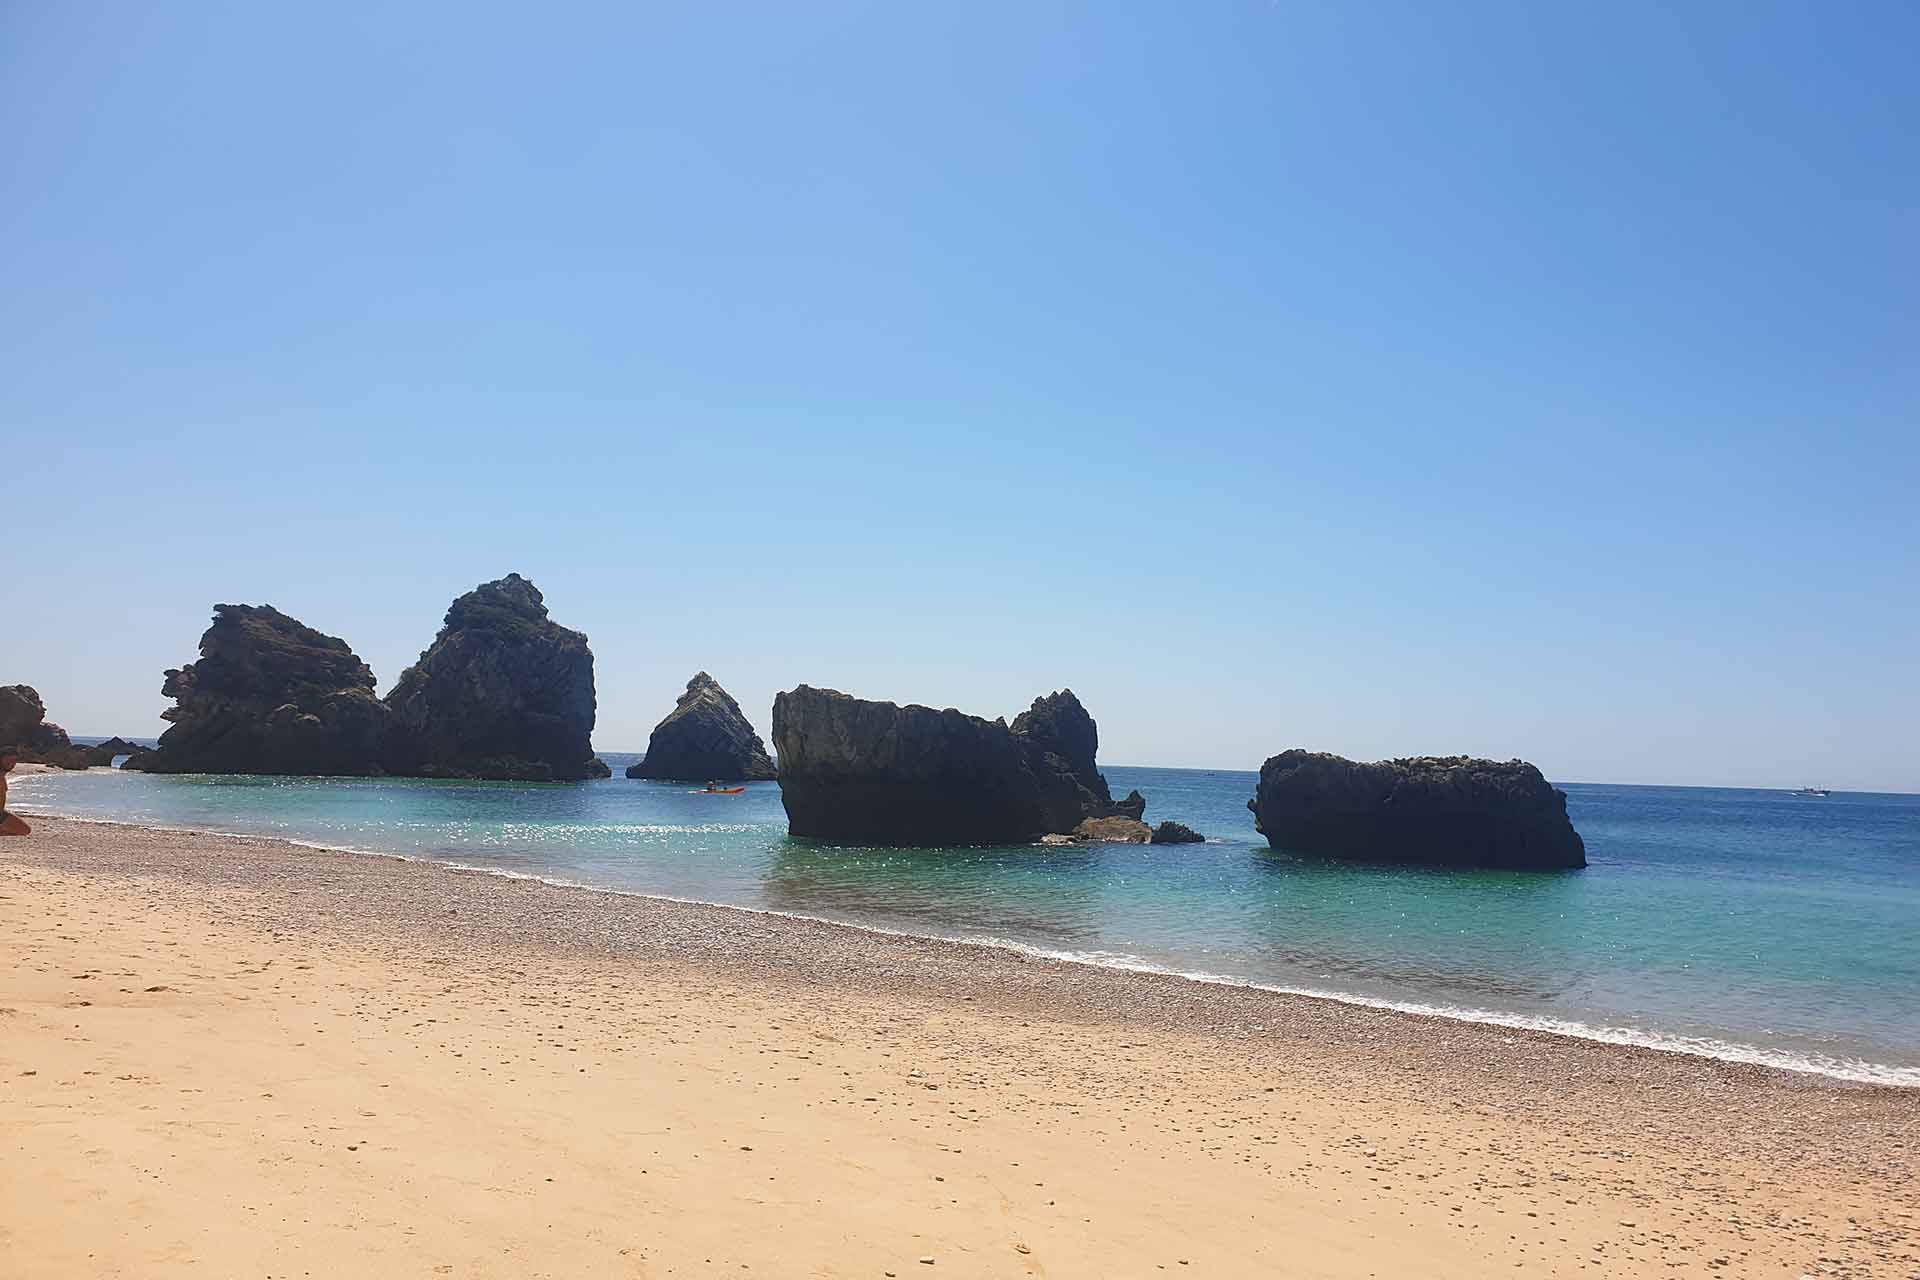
(1443, 811)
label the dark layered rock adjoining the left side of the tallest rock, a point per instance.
(270, 696)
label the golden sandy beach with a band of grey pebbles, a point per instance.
(245, 1058)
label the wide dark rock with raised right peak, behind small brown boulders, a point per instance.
(884, 774)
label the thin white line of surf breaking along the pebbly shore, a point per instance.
(1708, 1049)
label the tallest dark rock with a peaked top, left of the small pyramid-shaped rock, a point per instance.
(502, 694)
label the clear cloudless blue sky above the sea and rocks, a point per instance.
(1381, 379)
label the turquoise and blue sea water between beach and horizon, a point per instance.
(1740, 924)
